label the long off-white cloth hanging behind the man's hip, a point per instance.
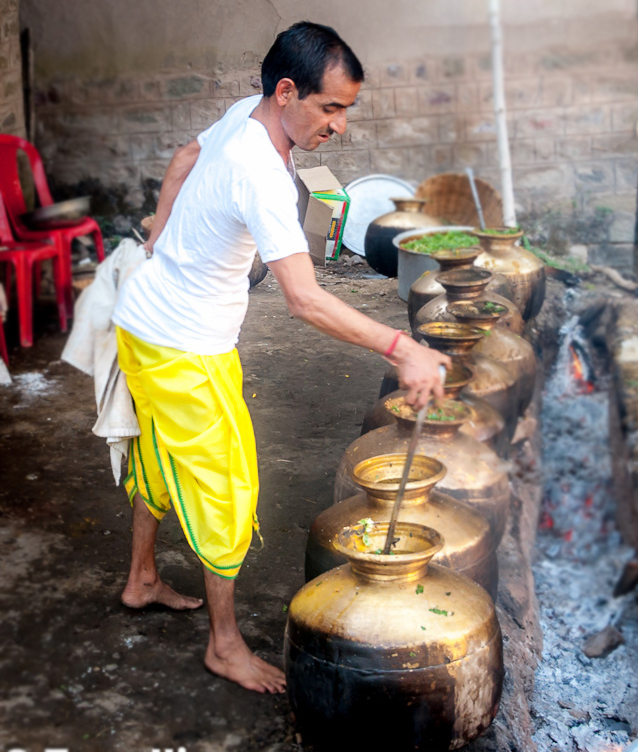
(92, 347)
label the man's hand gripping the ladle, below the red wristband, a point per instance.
(418, 368)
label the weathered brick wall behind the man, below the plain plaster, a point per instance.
(572, 113)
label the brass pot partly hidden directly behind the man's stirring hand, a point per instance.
(486, 424)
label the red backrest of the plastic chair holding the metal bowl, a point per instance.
(10, 179)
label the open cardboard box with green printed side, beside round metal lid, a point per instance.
(323, 210)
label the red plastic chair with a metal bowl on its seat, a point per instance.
(14, 200)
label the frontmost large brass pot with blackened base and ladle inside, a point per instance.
(392, 652)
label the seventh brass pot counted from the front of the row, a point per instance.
(466, 284)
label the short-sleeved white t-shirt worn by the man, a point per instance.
(239, 197)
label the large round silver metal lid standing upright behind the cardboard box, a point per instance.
(370, 197)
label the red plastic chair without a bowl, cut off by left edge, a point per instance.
(21, 257)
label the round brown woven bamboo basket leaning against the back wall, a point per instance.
(449, 197)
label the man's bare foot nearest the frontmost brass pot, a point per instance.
(239, 665)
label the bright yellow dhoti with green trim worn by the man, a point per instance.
(196, 449)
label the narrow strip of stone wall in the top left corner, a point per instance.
(11, 97)
